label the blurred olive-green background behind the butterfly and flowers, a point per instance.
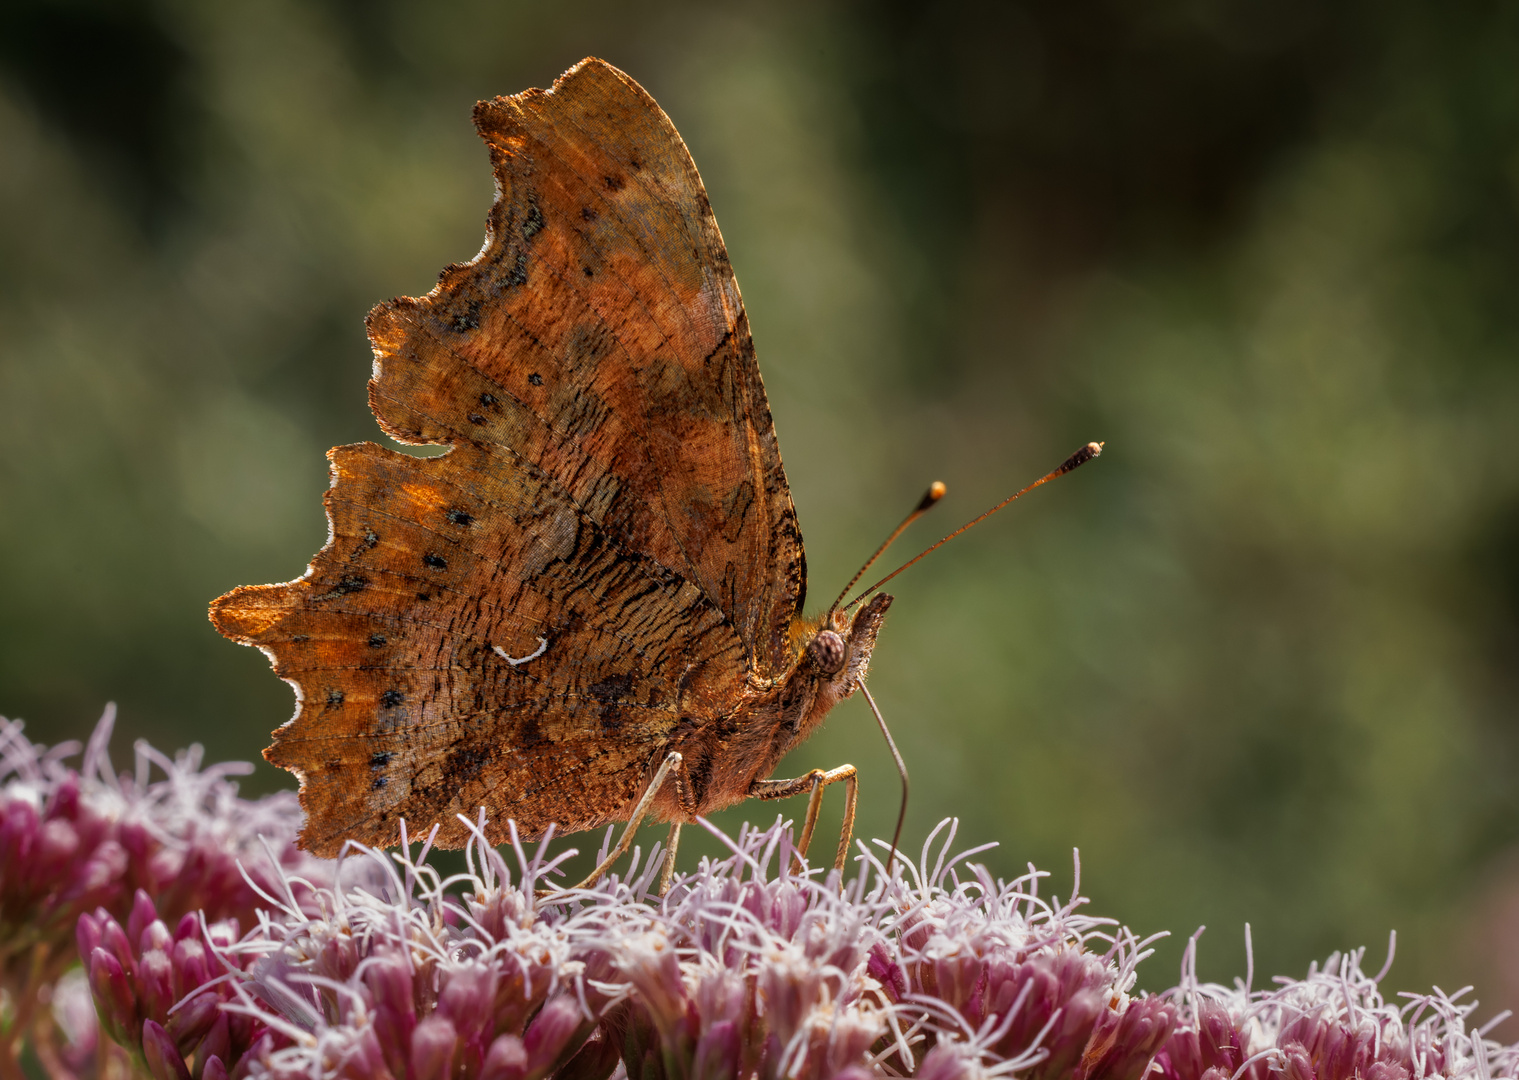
(1258, 663)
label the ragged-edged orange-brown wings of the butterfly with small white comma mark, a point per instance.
(607, 554)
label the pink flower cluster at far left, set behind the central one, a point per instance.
(78, 841)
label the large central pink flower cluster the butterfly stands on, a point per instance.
(742, 970)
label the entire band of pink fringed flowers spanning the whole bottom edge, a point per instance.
(379, 967)
